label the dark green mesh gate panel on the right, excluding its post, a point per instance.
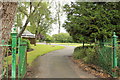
(105, 53)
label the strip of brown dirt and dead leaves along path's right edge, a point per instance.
(92, 69)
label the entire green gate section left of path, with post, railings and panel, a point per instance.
(14, 65)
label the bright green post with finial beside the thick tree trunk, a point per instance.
(14, 45)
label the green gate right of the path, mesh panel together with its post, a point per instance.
(109, 56)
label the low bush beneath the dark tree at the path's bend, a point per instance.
(87, 54)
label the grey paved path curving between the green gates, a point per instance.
(57, 64)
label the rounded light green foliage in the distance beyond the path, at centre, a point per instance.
(62, 37)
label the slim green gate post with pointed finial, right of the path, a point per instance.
(114, 54)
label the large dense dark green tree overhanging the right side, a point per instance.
(87, 21)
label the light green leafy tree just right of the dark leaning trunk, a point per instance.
(43, 20)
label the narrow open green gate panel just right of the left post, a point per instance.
(22, 48)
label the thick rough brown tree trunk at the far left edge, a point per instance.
(7, 14)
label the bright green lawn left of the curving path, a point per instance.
(39, 50)
